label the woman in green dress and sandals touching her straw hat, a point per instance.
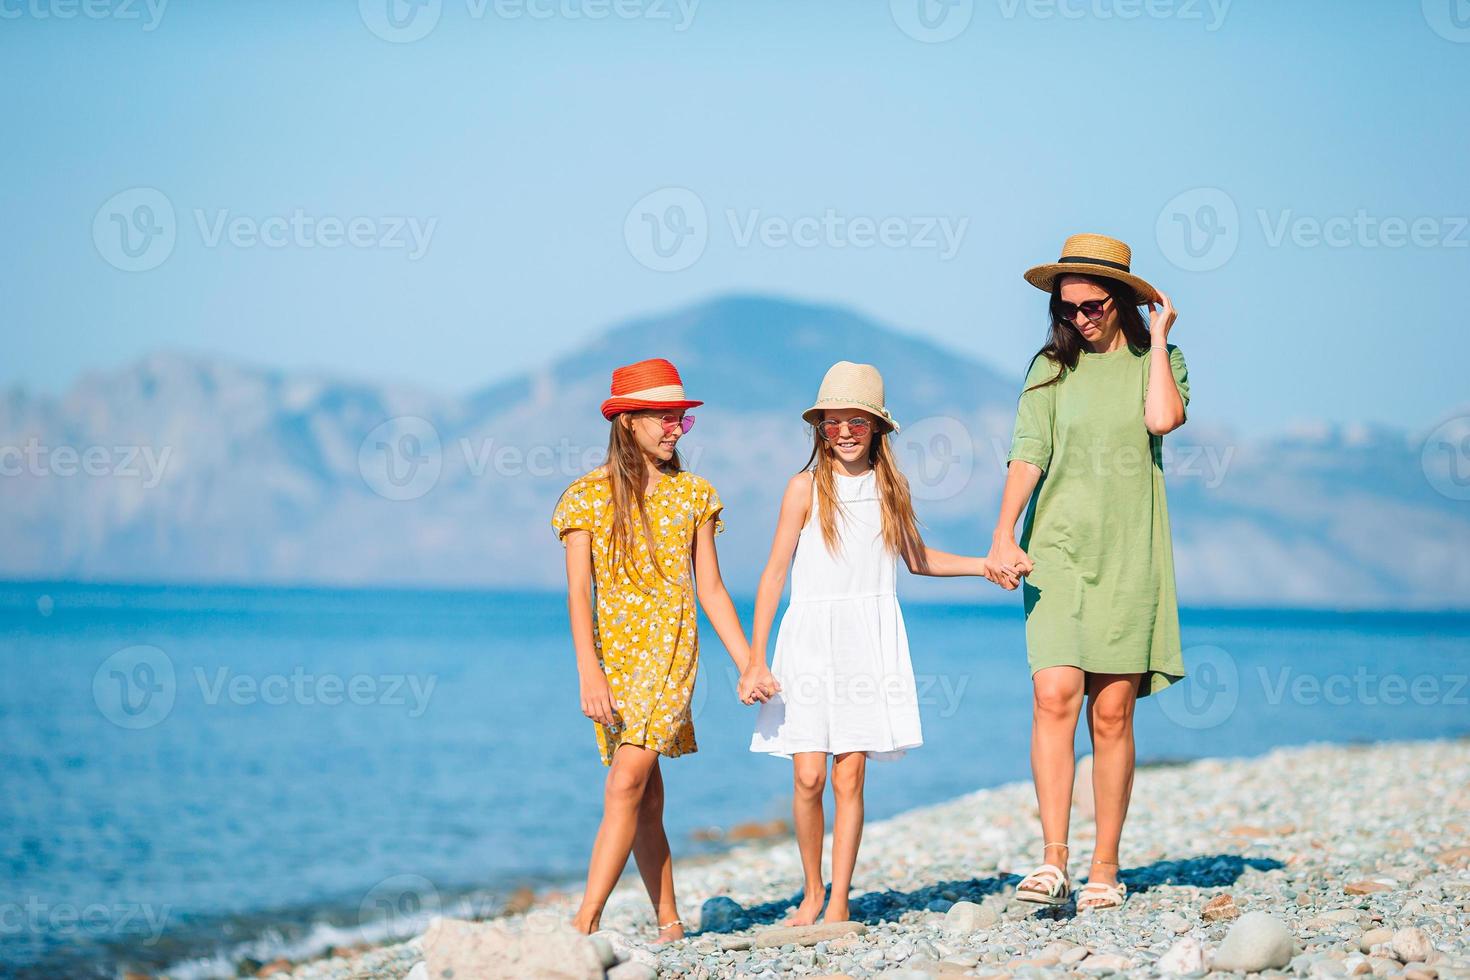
(1096, 558)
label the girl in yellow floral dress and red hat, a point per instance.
(640, 537)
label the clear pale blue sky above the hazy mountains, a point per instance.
(521, 139)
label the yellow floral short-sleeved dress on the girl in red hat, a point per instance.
(646, 627)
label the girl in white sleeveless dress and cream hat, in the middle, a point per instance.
(846, 685)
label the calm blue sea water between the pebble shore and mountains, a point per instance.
(195, 774)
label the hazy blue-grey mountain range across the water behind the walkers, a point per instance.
(193, 468)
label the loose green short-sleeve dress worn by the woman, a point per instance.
(1102, 596)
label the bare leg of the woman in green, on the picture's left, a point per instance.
(1056, 705)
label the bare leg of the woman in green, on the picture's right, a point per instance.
(1111, 721)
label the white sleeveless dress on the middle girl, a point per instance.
(847, 684)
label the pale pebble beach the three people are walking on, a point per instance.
(1315, 862)
